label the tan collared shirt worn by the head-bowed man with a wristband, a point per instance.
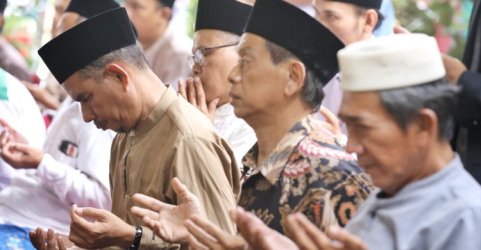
(176, 140)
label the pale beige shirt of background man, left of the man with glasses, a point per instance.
(168, 57)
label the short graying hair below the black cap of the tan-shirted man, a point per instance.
(132, 55)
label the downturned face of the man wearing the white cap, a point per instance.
(385, 151)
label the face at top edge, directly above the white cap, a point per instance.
(341, 19)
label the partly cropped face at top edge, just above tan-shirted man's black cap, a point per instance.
(146, 16)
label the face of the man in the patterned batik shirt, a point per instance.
(257, 83)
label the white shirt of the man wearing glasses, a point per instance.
(235, 131)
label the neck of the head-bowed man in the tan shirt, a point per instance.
(151, 93)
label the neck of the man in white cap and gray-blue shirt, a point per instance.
(437, 158)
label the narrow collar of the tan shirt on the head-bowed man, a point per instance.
(160, 108)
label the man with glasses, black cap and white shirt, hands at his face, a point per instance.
(219, 25)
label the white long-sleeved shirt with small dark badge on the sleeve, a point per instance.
(78, 174)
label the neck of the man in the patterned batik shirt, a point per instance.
(271, 127)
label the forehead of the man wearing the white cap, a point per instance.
(364, 105)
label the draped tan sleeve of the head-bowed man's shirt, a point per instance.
(209, 172)
